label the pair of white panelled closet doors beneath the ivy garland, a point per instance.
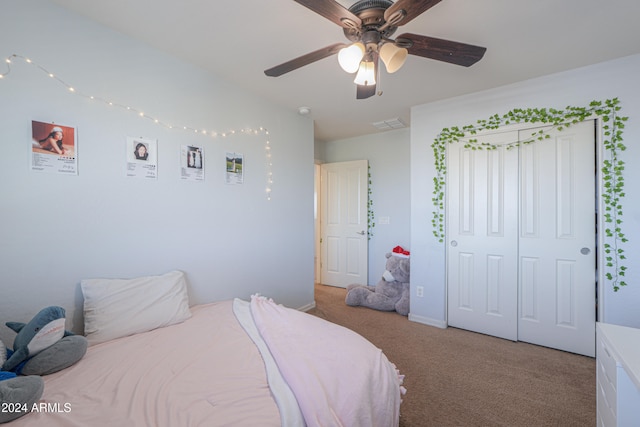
(521, 239)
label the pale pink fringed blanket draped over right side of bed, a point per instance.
(338, 377)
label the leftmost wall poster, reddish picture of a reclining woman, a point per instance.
(53, 148)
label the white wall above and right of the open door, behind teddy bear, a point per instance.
(388, 156)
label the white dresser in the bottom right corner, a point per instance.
(618, 375)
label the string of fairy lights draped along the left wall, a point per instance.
(213, 134)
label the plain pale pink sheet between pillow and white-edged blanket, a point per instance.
(203, 372)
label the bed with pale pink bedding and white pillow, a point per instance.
(155, 361)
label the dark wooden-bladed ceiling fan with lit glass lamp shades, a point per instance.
(369, 25)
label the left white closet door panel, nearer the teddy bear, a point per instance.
(482, 238)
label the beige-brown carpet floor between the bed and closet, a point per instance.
(461, 378)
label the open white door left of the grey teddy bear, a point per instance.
(343, 222)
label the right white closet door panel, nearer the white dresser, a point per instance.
(557, 240)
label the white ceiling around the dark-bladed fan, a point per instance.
(239, 39)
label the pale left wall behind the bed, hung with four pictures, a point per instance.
(56, 230)
